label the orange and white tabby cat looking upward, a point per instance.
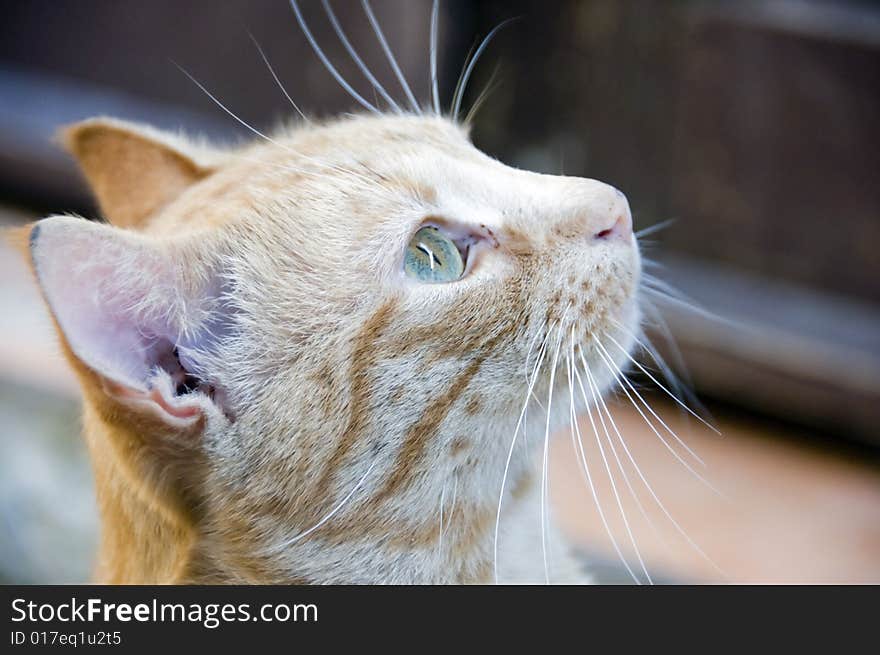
(309, 359)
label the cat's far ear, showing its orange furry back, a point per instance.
(134, 170)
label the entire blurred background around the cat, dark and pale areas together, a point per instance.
(750, 126)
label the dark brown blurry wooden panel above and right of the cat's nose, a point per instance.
(751, 123)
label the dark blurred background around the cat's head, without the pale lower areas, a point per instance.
(753, 125)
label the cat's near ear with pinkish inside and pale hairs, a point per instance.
(137, 324)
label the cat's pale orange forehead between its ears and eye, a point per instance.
(315, 167)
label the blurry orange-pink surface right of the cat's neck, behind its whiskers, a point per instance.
(790, 512)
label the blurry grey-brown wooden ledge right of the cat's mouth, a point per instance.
(807, 356)
